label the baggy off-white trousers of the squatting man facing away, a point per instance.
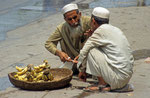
(97, 66)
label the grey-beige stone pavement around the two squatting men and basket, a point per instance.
(25, 45)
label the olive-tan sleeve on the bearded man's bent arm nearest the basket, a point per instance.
(51, 43)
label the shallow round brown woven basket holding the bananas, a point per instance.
(62, 78)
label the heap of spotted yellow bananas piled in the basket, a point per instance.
(33, 73)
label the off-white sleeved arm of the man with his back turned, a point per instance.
(96, 40)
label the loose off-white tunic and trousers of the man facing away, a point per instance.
(108, 55)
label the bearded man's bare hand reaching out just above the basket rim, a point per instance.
(63, 56)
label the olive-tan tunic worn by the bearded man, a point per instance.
(70, 38)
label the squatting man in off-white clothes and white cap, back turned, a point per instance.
(108, 54)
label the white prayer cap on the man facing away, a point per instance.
(101, 12)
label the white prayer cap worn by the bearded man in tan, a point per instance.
(69, 7)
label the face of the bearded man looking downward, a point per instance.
(73, 18)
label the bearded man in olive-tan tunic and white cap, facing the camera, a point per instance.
(70, 34)
